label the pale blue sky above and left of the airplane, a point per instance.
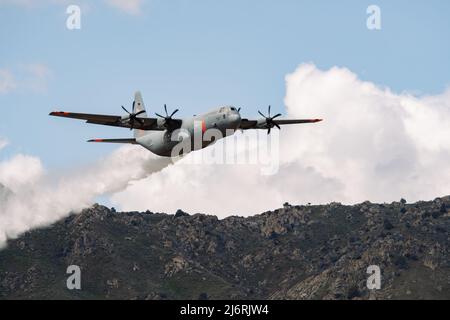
(195, 55)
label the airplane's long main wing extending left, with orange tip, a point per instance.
(109, 120)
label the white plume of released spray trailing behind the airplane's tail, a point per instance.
(39, 198)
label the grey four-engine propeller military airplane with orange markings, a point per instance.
(156, 134)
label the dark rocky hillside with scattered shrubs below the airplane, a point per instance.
(297, 252)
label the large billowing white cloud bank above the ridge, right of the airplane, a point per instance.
(373, 145)
